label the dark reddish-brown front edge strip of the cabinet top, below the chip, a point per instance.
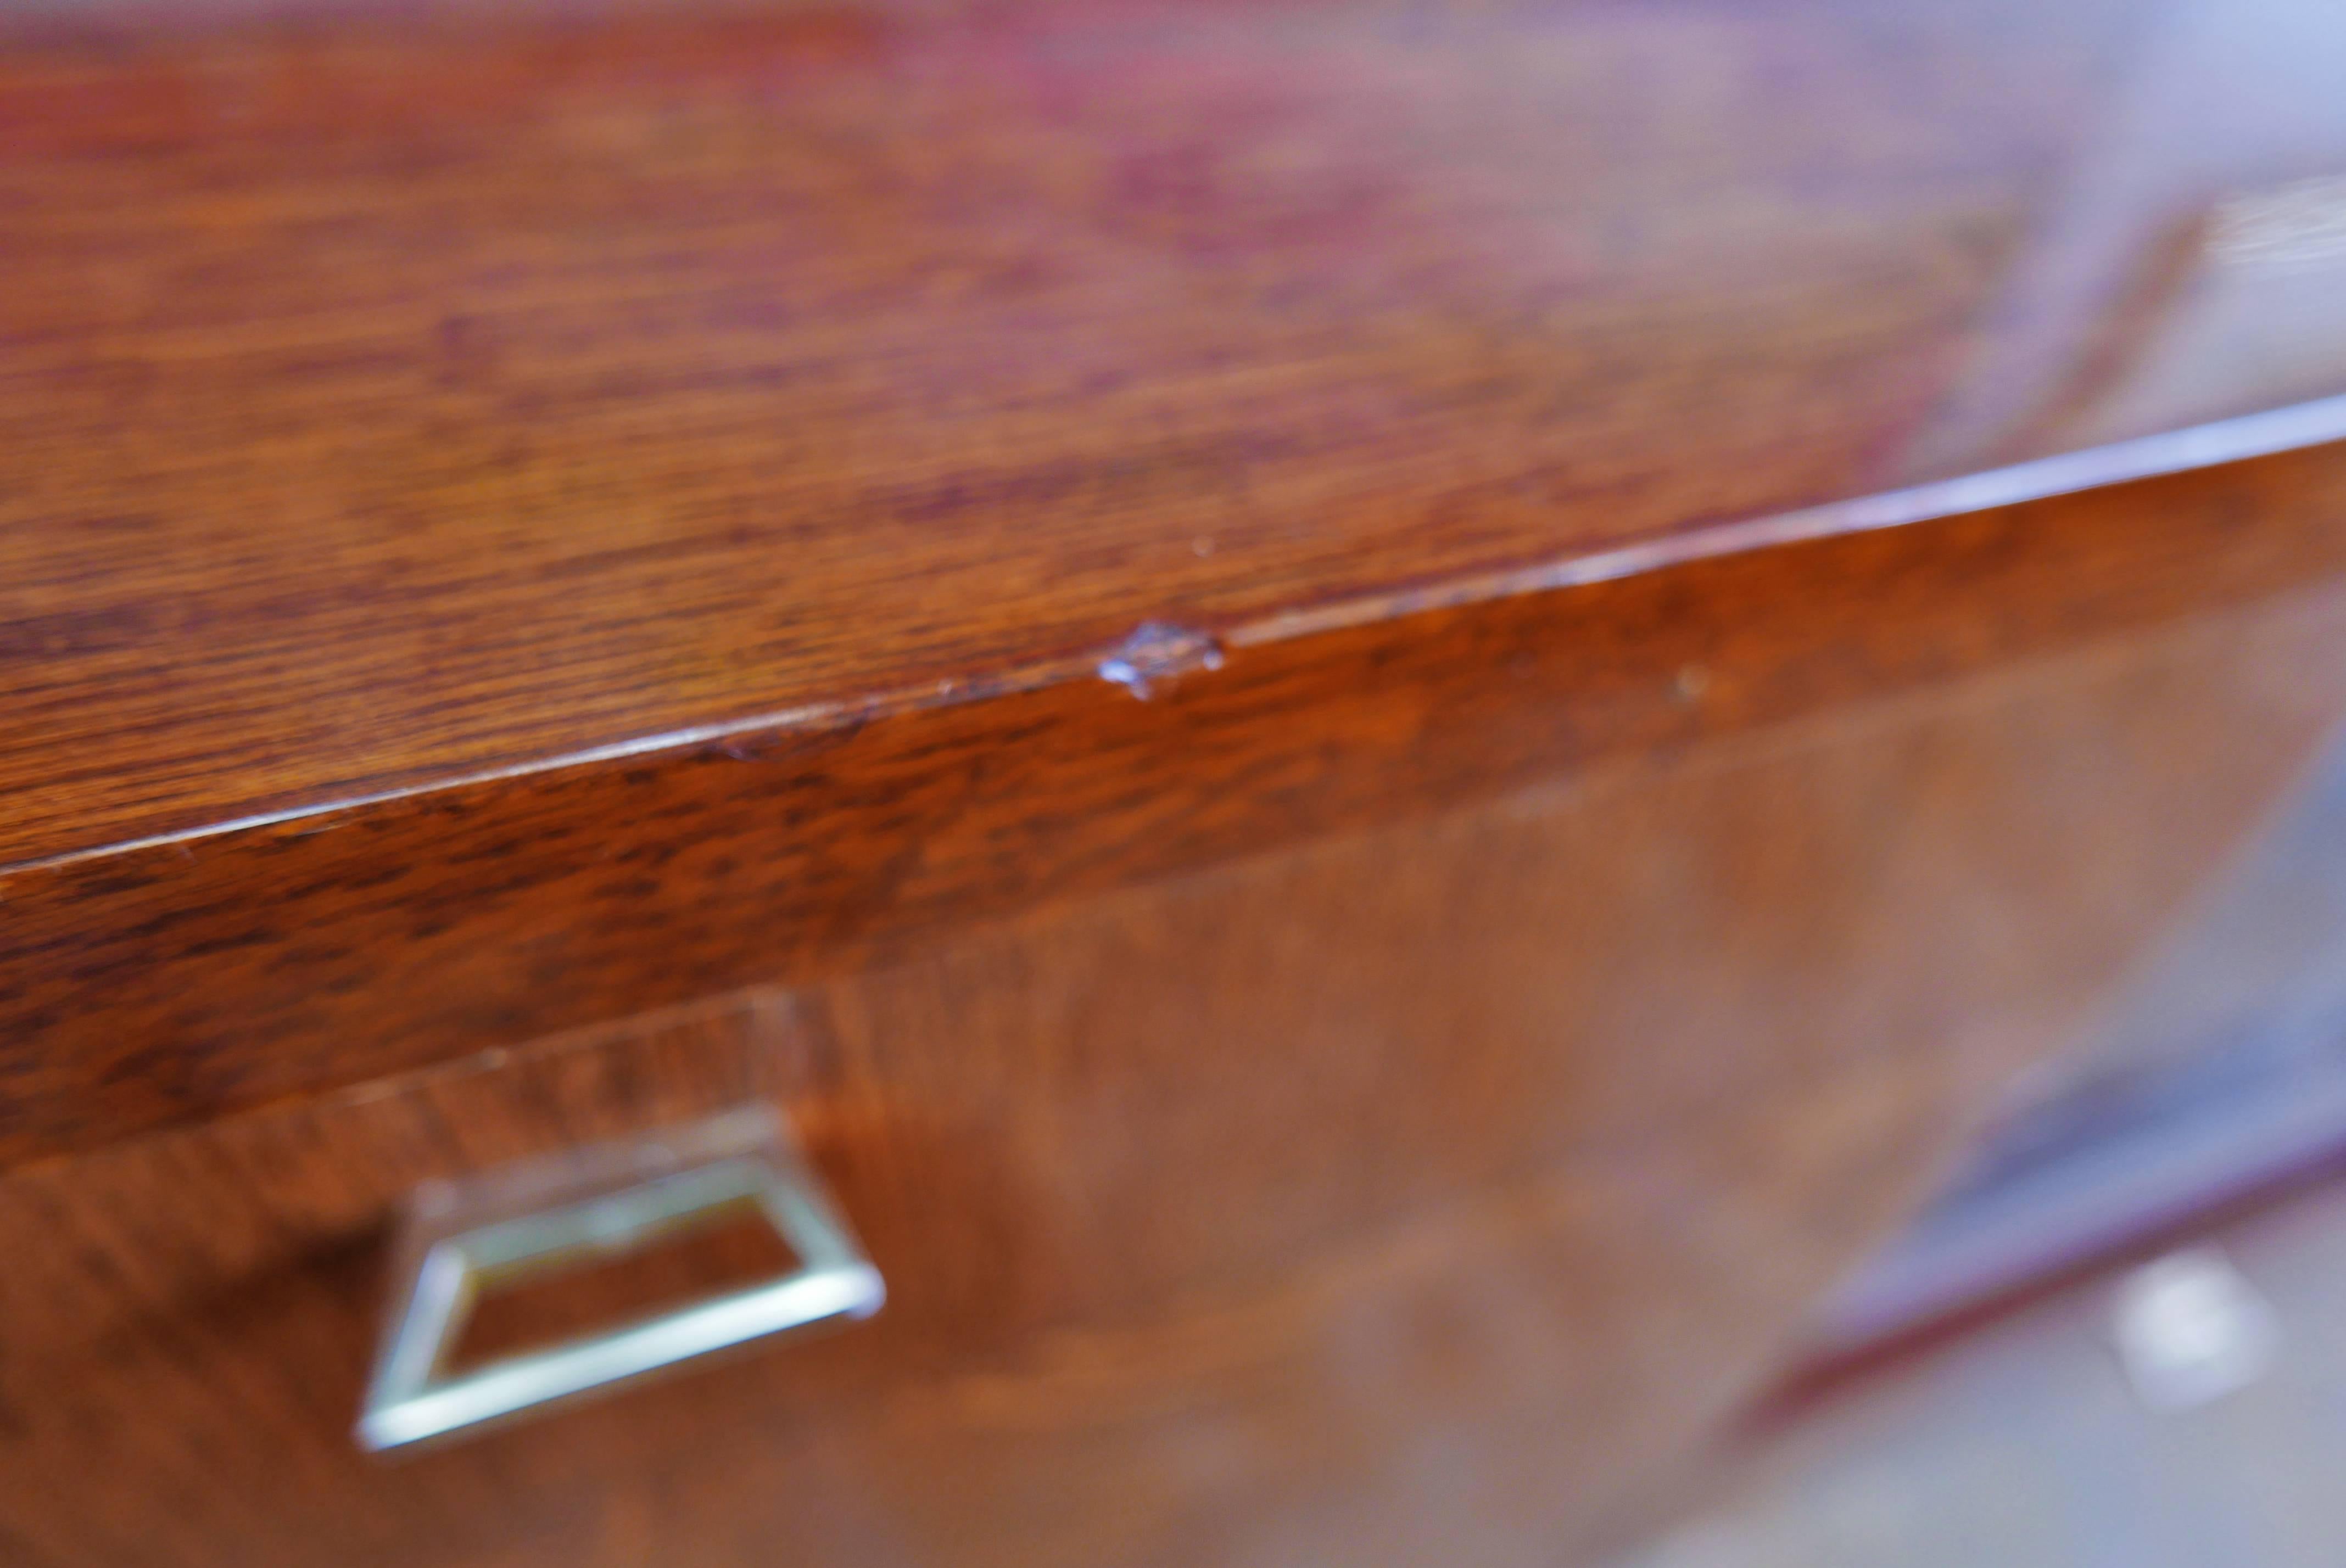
(182, 981)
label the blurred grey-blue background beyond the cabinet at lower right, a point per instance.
(2122, 1335)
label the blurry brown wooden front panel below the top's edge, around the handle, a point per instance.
(1413, 1194)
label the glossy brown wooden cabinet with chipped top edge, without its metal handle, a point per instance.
(1383, 721)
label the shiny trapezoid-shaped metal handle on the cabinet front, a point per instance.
(585, 1206)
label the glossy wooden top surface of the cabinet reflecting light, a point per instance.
(391, 402)
